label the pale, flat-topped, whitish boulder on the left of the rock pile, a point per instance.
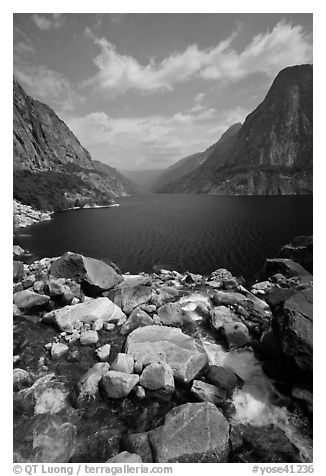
(94, 312)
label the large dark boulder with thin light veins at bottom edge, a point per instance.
(192, 433)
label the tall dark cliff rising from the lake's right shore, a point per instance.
(271, 153)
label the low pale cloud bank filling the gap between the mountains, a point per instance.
(151, 142)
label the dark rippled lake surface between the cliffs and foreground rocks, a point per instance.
(198, 233)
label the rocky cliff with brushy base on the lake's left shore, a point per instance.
(52, 171)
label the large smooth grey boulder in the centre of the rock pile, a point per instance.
(153, 344)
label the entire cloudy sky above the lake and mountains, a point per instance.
(141, 91)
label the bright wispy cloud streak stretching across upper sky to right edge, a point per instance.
(267, 53)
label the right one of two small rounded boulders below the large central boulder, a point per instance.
(157, 377)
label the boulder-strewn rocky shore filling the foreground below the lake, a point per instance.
(119, 368)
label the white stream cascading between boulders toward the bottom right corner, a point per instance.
(257, 402)
